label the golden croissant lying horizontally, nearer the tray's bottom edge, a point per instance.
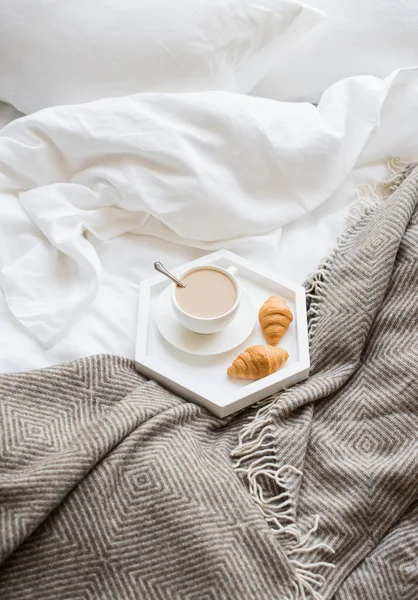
(257, 362)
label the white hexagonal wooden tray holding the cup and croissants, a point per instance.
(203, 379)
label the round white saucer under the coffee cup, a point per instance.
(204, 345)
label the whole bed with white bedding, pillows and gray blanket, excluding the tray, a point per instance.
(115, 154)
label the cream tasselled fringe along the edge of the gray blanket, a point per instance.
(255, 454)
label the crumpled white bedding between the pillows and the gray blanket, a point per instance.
(92, 194)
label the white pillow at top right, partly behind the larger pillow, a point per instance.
(360, 37)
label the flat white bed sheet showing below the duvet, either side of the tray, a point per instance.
(109, 325)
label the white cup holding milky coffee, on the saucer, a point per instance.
(207, 325)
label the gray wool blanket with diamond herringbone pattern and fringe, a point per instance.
(113, 488)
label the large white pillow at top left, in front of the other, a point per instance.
(58, 52)
